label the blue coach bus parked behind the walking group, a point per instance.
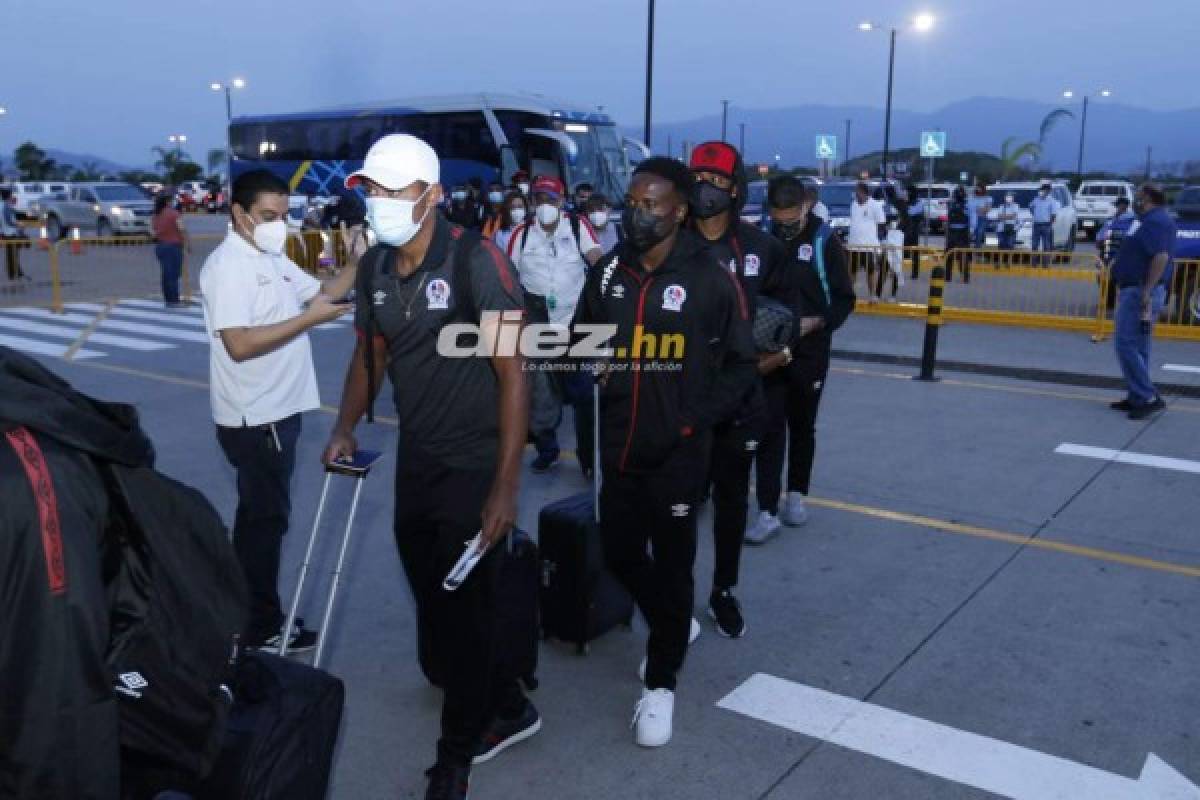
(479, 136)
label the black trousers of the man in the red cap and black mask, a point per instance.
(734, 452)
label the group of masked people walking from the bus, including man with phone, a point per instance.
(675, 428)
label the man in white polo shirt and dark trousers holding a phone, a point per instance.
(262, 381)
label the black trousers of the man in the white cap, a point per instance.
(439, 509)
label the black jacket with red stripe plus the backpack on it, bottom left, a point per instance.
(119, 592)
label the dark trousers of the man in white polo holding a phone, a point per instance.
(265, 459)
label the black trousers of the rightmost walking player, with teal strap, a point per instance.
(794, 396)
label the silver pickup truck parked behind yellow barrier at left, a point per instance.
(107, 209)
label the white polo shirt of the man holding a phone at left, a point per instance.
(245, 288)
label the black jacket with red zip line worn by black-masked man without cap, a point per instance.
(691, 304)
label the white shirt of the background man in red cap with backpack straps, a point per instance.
(553, 264)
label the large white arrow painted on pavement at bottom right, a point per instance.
(968, 759)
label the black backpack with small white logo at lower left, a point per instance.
(178, 605)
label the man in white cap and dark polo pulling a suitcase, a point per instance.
(463, 428)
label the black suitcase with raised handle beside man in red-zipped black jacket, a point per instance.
(580, 599)
